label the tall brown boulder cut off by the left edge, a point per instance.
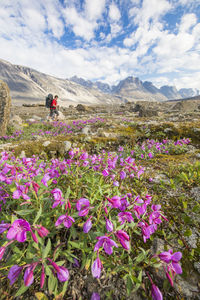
(5, 104)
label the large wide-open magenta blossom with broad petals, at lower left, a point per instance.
(18, 230)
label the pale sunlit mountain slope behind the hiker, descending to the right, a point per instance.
(27, 84)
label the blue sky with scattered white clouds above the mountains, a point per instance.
(105, 40)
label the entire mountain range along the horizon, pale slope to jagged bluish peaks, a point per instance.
(29, 85)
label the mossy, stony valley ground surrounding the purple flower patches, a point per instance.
(175, 178)
